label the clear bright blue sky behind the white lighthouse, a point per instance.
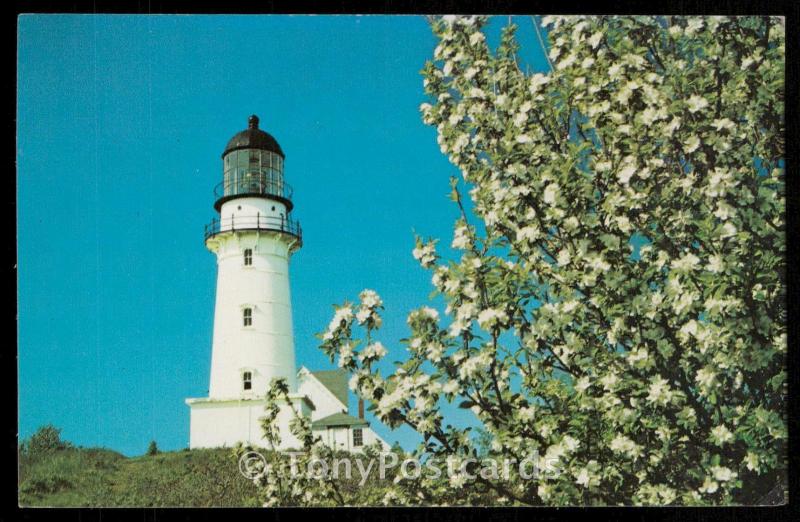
(121, 123)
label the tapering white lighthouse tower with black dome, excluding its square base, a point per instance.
(253, 239)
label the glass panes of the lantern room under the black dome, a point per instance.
(252, 171)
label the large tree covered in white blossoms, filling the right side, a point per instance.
(617, 301)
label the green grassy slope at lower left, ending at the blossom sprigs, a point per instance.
(100, 477)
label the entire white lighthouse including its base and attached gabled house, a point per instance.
(253, 239)
